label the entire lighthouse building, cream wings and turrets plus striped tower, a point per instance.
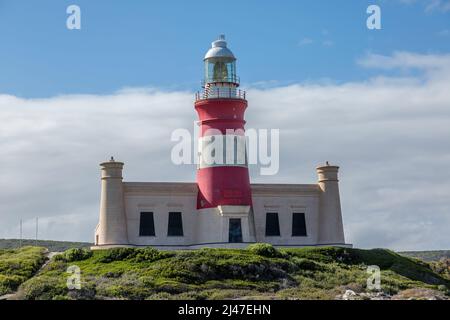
(222, 209)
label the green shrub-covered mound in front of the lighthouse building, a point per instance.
(260, 272)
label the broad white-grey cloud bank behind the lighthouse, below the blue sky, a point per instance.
(390, 135)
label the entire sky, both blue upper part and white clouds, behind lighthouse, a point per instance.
(375, 102)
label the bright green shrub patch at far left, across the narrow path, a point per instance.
(18, 265)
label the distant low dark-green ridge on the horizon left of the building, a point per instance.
(52, 246)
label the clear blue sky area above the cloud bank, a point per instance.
(161, 43)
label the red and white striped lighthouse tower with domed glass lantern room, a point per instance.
(222, 176)
